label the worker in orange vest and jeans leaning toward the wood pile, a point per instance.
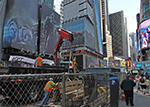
(47, 90)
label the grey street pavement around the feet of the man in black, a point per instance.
(140, 100)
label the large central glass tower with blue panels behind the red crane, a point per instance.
(81, 16)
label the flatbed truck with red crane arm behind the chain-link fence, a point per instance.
(17, 89)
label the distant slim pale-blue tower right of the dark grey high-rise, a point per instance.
(134, 45)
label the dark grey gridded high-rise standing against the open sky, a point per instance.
(119, 32)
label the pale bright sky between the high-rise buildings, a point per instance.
(130, 8)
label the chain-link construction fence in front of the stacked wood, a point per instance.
(72, 90)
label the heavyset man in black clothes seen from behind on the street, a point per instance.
(127, 85)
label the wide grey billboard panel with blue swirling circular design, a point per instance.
(19, 20)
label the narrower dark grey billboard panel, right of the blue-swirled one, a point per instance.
(50, 22)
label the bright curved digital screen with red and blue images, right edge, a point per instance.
(143, 39)
